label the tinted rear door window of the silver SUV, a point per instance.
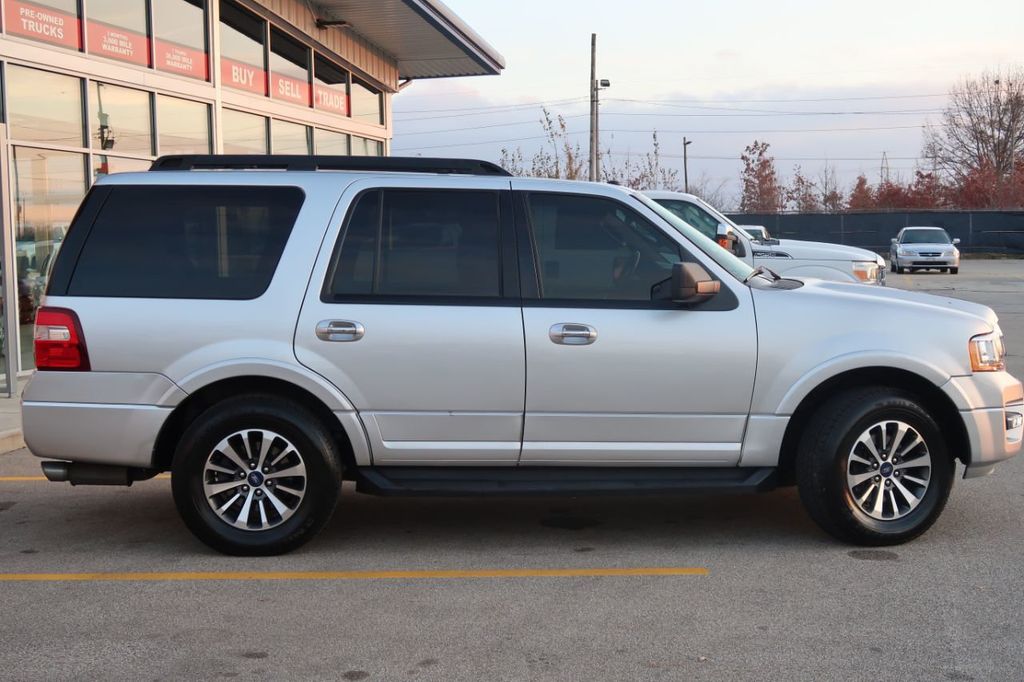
(410, 243)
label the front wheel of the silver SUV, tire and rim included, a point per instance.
(873, 467)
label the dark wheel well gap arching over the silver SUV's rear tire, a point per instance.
(194, 406)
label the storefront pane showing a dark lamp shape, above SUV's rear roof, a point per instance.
(120, 119)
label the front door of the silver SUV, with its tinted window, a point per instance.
(614, 377)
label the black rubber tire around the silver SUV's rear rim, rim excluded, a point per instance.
(311, 439)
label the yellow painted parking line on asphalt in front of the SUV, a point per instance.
(351, 575)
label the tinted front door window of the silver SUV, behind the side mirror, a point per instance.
(598, 249)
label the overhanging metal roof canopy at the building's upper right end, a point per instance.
(428, 39)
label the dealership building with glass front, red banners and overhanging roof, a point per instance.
(92, 88)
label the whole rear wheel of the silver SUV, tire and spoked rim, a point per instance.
(257, 476)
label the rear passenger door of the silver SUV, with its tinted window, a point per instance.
(414, 314)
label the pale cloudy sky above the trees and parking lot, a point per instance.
(721, 73)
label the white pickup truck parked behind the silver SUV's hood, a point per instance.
(792, 258)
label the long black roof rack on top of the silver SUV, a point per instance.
(305, 163)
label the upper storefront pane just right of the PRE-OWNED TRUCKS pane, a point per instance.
(117, 29)
